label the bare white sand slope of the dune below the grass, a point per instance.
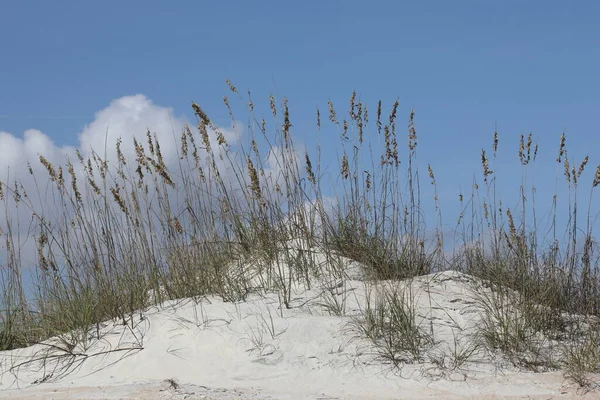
(256, 350)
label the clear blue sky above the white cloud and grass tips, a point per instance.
(529, 66)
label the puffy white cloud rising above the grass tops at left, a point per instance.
(126, 117)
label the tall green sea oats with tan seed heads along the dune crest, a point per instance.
(116, 234)
